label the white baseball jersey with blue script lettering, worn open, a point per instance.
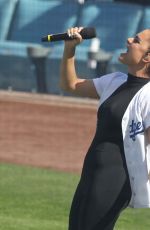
(135, 121)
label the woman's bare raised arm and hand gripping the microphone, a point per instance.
(69, 81)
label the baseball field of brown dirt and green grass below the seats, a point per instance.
(43, 141)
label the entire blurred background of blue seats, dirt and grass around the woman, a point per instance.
(44, 132)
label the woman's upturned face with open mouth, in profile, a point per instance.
(137, 49)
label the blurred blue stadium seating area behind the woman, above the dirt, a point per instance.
(27, 64)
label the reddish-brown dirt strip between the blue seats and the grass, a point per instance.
(45, 131)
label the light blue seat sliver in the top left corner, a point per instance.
(7, 8)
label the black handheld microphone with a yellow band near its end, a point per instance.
(86, 33)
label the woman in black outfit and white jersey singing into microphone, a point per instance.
(116, 170)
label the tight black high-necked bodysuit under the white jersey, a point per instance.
(104, 188)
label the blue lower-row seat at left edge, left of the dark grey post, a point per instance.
(16, 69)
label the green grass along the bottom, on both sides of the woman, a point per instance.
(39, 199)
